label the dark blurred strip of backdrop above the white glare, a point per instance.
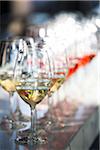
(17, 15)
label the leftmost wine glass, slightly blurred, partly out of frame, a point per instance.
(6, 77)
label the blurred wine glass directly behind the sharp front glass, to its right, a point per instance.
(58, 79)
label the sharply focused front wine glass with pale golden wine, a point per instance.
(32, 84)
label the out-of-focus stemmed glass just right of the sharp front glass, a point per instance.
(58, 73)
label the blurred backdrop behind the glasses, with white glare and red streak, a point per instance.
(73, 28)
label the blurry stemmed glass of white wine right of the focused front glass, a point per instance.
(58, 78)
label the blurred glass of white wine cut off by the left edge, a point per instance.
(11, 51)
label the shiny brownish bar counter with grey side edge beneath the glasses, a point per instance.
(78, 135)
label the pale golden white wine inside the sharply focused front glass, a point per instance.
(33, 92)
